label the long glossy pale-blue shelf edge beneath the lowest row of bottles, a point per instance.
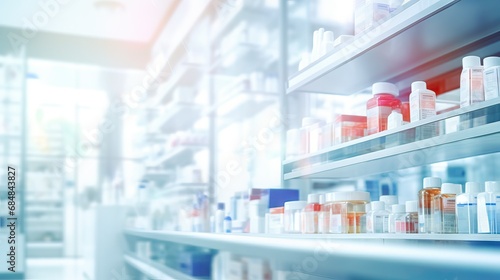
(381, 256)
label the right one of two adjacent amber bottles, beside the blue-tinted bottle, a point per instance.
(444, 209)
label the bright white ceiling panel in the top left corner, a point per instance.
(137, 22)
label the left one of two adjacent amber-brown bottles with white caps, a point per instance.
(432, 187)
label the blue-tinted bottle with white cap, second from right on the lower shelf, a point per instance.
(467, 208)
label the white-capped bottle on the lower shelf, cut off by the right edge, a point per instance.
(488, 214)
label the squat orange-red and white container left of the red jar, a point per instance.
(348, 127)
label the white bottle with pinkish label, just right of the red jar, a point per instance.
(422, 102)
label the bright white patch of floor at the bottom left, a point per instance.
(54, 269)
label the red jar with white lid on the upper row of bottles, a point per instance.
(380, 106)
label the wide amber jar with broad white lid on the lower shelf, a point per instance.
(346, 211)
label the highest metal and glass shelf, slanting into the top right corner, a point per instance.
(422, 42)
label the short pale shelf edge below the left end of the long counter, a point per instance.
(156, 270)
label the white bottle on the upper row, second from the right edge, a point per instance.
(471, 81)
